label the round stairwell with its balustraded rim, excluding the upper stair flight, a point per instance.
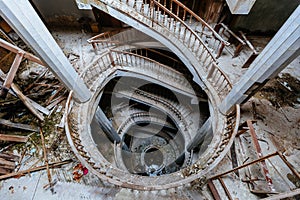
(145, 104)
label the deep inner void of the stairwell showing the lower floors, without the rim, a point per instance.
(155, 124)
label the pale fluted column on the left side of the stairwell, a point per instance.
(21, 16)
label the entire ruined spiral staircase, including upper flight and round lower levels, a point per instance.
(155, 87)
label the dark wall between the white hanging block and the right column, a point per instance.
(266, 16)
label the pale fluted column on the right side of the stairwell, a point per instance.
(280, 51)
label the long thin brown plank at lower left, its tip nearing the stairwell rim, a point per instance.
(23, 172)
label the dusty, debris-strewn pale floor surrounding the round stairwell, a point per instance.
(276, 108)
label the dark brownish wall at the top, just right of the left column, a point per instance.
(61, 12)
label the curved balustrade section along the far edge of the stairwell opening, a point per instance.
(112, 58)
